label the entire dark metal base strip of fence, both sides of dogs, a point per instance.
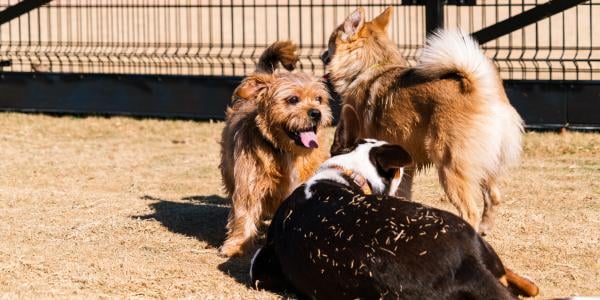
(541, 103)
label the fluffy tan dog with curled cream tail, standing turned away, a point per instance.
(450, 110)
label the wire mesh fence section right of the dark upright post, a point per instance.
(563, 46)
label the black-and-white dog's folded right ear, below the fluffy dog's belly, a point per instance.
(388, 158)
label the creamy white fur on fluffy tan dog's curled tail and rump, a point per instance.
(501, 126)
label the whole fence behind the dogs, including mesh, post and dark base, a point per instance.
(183, 58)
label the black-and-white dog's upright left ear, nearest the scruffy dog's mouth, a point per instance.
(347, 132)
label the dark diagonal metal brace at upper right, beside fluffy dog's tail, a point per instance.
(523, 19)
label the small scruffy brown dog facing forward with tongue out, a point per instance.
(270, 143)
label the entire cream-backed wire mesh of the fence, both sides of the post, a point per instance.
(205, 37)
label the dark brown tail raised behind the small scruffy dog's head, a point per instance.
(283, 52)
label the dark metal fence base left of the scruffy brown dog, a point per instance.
(194, 97)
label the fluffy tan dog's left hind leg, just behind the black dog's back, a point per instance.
(460, 191)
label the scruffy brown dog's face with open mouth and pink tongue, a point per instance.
(292, 108)
